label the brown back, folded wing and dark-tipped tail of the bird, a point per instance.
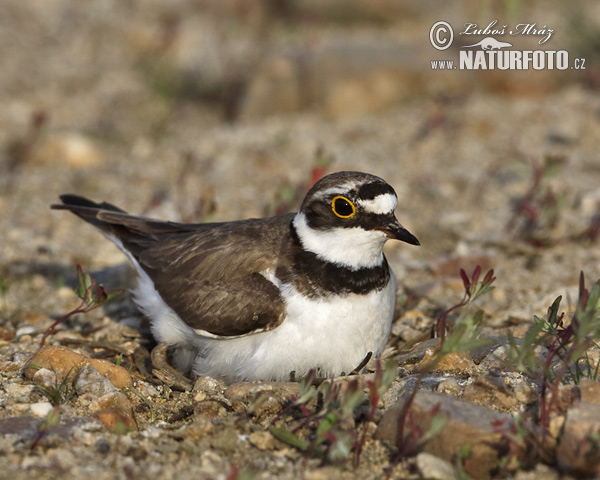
(209, 274)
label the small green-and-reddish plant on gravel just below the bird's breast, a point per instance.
(328, 425)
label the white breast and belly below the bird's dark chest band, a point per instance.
(332, 334)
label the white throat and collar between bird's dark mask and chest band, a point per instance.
(353, 248)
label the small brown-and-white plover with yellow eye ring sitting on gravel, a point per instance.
(266, 298)
